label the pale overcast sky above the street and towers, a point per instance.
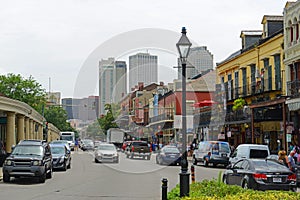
(58, 41)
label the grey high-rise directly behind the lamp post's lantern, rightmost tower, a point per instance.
(199, 61)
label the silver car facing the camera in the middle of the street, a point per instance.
(106, 153)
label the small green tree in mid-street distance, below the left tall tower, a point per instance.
(107, 121)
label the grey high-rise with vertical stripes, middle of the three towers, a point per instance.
(143, 67)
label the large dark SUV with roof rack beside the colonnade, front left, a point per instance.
(29, 158)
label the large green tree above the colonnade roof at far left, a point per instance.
(25, 90)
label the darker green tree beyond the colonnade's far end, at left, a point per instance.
(58, 117)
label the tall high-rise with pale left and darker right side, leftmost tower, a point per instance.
(112, 82)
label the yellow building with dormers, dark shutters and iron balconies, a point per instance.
(255, 74)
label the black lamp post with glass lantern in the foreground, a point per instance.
(183, 46)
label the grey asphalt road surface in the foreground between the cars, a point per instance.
(129, 179)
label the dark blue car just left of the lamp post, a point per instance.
(169, 155)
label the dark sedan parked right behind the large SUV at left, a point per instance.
(61, 156)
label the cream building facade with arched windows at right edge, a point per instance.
(292, 68)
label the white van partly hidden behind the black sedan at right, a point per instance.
(249, 151)
